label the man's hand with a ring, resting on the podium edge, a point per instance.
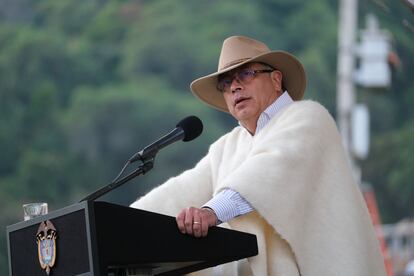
(196, 221)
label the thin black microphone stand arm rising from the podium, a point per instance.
(147, 165)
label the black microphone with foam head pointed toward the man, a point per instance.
(187, 129)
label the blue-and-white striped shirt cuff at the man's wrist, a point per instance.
(228, 204)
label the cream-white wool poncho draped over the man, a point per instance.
(310, 217)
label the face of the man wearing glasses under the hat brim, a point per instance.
(247, 98)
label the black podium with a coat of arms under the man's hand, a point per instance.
(100, 238)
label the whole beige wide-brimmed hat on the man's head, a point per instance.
(239, 50)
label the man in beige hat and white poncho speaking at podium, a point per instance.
(281, 174)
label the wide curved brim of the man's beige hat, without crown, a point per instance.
(293, 78)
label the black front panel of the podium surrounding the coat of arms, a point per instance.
(72, 255)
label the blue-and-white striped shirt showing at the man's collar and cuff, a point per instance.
(228, 203)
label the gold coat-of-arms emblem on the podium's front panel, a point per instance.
(46, 245)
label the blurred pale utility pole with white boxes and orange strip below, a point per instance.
(353, 120)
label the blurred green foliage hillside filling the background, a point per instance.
(84, 84)
